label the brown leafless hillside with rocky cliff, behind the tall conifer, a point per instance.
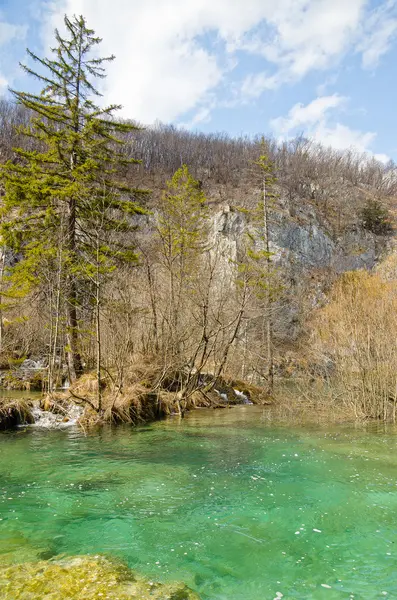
(317, 230)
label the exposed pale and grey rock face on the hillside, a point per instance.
(307, 253)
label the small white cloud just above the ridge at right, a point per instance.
(316, 120)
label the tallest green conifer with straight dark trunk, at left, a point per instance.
(55, 193)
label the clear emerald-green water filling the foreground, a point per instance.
(233, 505)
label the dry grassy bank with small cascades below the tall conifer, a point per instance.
(145, 394)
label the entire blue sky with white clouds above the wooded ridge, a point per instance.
(322, 68)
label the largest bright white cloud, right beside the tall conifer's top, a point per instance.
(163, 67)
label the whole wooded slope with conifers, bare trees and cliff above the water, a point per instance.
(150, 270)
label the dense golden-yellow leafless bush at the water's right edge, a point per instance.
(355, 345)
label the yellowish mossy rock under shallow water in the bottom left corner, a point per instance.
(84, 578)
